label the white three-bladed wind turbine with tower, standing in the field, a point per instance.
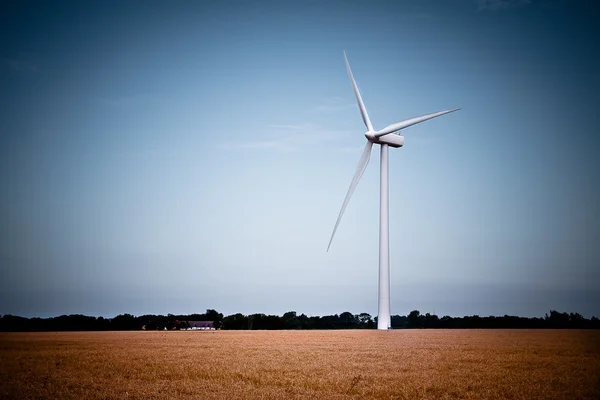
(384, 137)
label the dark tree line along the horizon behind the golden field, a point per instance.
(291, 320)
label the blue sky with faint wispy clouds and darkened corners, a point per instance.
(168, 158)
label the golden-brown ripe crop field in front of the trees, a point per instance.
(403, 364)
